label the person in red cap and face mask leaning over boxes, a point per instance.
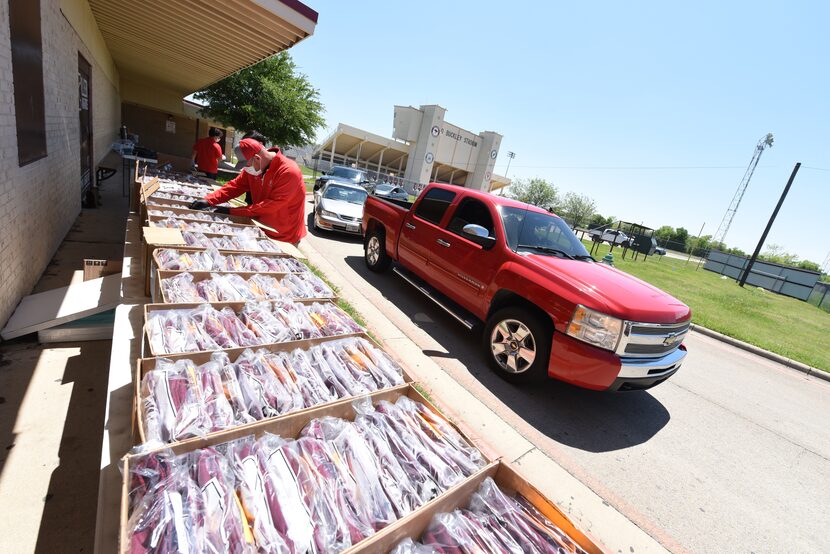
(277, 192)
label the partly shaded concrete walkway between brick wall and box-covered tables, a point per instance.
(52, 401)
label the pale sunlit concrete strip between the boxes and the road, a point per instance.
(492, 433)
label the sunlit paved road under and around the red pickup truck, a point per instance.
(732, 454)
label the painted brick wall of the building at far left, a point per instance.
(40, 201)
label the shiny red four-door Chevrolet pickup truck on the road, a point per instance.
(548, 307)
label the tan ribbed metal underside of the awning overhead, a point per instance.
(185, 45)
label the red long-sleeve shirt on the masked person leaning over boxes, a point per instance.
(278, 198)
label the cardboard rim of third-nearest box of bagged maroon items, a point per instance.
(143, 365)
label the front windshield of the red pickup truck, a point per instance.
(529, 231)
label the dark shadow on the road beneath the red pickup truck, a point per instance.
(587, 420)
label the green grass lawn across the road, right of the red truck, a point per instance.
(777, 323)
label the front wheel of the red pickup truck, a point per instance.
(517, 345)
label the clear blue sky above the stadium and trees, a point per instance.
(652, 109)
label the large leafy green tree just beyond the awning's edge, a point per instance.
(270, 97)
